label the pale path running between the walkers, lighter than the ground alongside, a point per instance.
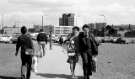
(54, 66)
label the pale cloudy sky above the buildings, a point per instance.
(86, 11)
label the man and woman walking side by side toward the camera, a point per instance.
(82, 44)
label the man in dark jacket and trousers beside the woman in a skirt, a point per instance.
(89, 50)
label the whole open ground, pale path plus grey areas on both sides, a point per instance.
(115, 61)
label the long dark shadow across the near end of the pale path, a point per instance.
(56, 76)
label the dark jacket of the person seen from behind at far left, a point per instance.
(25, 42)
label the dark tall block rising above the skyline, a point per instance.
(67, 20)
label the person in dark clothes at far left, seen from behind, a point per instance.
(25, 42)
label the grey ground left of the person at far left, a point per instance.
(9, 64)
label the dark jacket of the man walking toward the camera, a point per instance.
(88, 44)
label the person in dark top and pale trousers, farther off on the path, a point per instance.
(42, 41)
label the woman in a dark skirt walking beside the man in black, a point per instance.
(73, 50)
